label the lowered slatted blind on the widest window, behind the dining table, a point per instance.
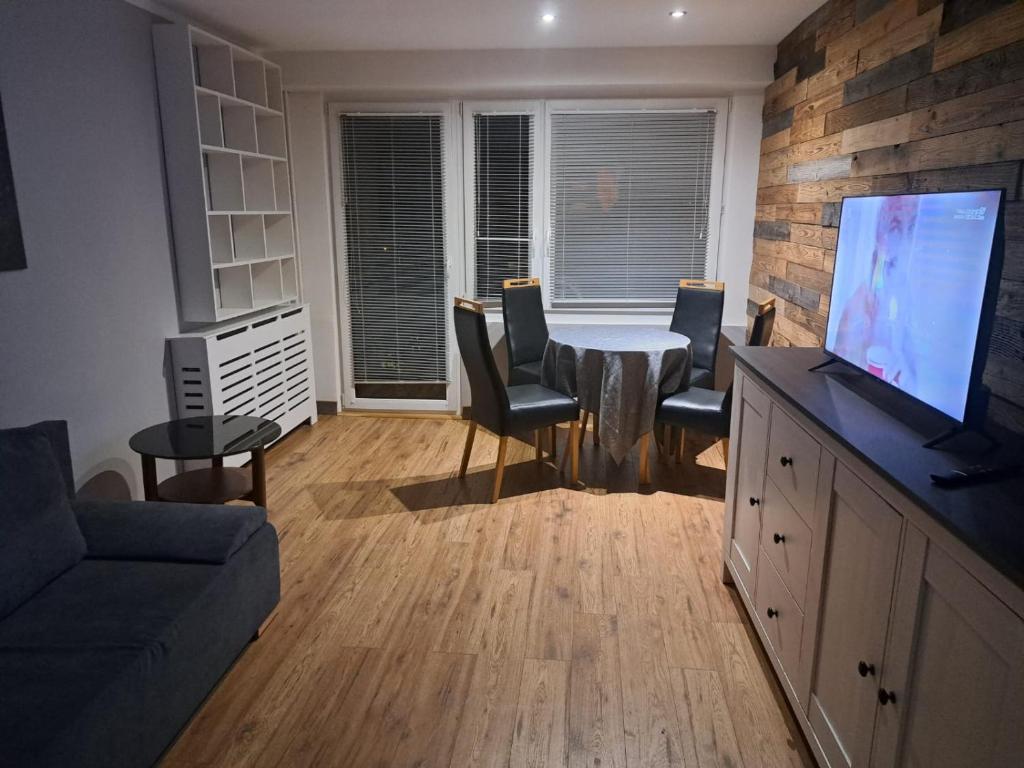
(629, 203)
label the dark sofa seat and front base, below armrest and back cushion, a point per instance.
(105, 666)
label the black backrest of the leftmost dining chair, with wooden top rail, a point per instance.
(491, 401)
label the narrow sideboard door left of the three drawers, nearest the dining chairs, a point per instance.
(752, 430)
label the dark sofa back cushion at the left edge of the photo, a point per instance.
(39, 537)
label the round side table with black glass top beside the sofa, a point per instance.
(206, 438)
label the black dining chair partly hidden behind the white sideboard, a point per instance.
(708, 411)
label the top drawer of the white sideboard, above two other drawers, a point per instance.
(793, 463)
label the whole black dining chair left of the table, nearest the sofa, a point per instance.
(506, 411)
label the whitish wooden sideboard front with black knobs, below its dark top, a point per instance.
(890, 646)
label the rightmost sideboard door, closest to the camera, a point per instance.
(955, 664)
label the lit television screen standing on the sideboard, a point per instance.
(909, 290)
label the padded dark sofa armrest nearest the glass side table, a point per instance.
(160, 531)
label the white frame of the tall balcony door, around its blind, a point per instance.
(451, 166)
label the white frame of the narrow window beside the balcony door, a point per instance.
(471, 108)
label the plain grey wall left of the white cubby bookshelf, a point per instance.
(82, 330)
